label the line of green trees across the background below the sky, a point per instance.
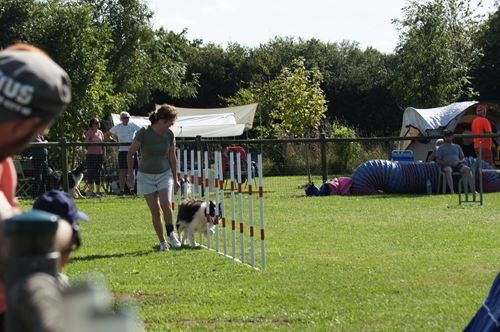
(118, 61)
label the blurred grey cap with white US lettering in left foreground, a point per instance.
(32, 85)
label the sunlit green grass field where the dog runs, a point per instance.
(383, 263)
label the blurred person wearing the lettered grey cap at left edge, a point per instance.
(34, 91)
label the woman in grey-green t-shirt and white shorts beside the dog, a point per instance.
(157, 174)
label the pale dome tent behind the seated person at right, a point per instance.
(456, 117)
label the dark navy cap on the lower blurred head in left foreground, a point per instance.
(61, 203)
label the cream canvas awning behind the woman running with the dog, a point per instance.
(206, 122)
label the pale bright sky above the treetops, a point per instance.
(254, 22)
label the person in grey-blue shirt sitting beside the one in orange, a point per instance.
(450, 158)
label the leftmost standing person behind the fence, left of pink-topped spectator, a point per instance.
(40, 160)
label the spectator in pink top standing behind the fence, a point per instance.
(95, 157)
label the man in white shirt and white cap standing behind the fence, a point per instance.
(124, 133)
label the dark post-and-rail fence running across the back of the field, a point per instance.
(303, 160)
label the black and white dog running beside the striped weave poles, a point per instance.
(191, 218)
